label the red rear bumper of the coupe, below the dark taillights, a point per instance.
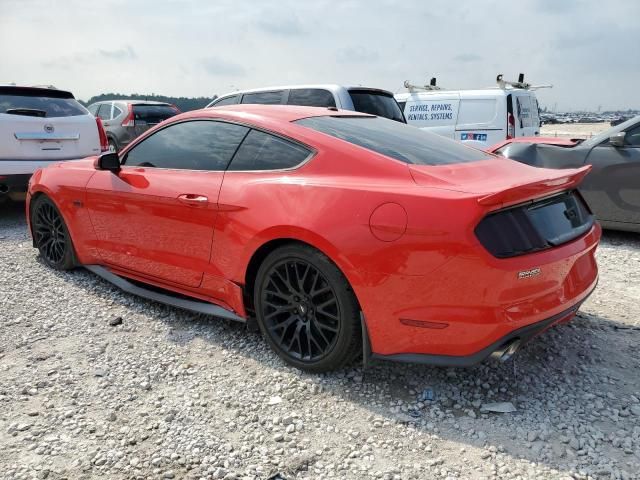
(472, 304)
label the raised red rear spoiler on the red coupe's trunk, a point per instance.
(562, 180)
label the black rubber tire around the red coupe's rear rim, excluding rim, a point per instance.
(344, 349)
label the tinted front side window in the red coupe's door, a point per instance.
(195, 145)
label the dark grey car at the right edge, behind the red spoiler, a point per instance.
(612, 189)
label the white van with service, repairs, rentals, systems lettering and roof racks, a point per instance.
(479, 118)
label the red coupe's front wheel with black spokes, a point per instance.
(51, 235)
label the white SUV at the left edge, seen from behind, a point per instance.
(38, 126)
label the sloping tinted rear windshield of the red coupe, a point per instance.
(399, 141)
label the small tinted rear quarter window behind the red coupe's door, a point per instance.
(262, 151)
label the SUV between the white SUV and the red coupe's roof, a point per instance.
(124, 120)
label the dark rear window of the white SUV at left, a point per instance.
(39, 103)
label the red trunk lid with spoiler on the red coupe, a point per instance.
(497, 180)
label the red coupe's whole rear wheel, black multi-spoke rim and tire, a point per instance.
(306, 309)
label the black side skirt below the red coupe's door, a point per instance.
(179, 302)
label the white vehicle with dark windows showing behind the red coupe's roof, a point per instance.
(360, 99)
